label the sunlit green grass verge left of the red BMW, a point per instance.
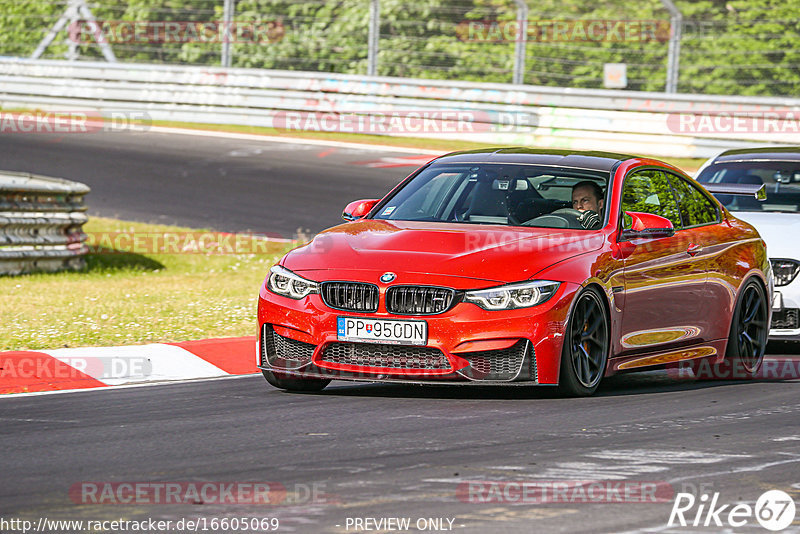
(133, 298)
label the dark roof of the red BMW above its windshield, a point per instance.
(602, 161)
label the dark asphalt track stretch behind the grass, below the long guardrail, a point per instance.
(206, 182)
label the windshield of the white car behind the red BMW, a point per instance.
(781, 177)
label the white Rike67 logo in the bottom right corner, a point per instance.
(774, 510)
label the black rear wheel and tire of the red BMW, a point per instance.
(747, 341)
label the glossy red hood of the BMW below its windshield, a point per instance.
(483, 252)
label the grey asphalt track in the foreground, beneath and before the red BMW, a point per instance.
(401, 451)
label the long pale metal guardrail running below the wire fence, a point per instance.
(649, 123)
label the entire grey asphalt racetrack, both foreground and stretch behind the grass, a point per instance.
(376, 451)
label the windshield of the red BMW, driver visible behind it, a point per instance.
(503, 194)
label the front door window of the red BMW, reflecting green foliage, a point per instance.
(649, 191)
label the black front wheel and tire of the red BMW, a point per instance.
(586, 346)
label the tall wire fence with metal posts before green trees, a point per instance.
(697, 47)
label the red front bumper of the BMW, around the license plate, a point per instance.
(465, 345)
